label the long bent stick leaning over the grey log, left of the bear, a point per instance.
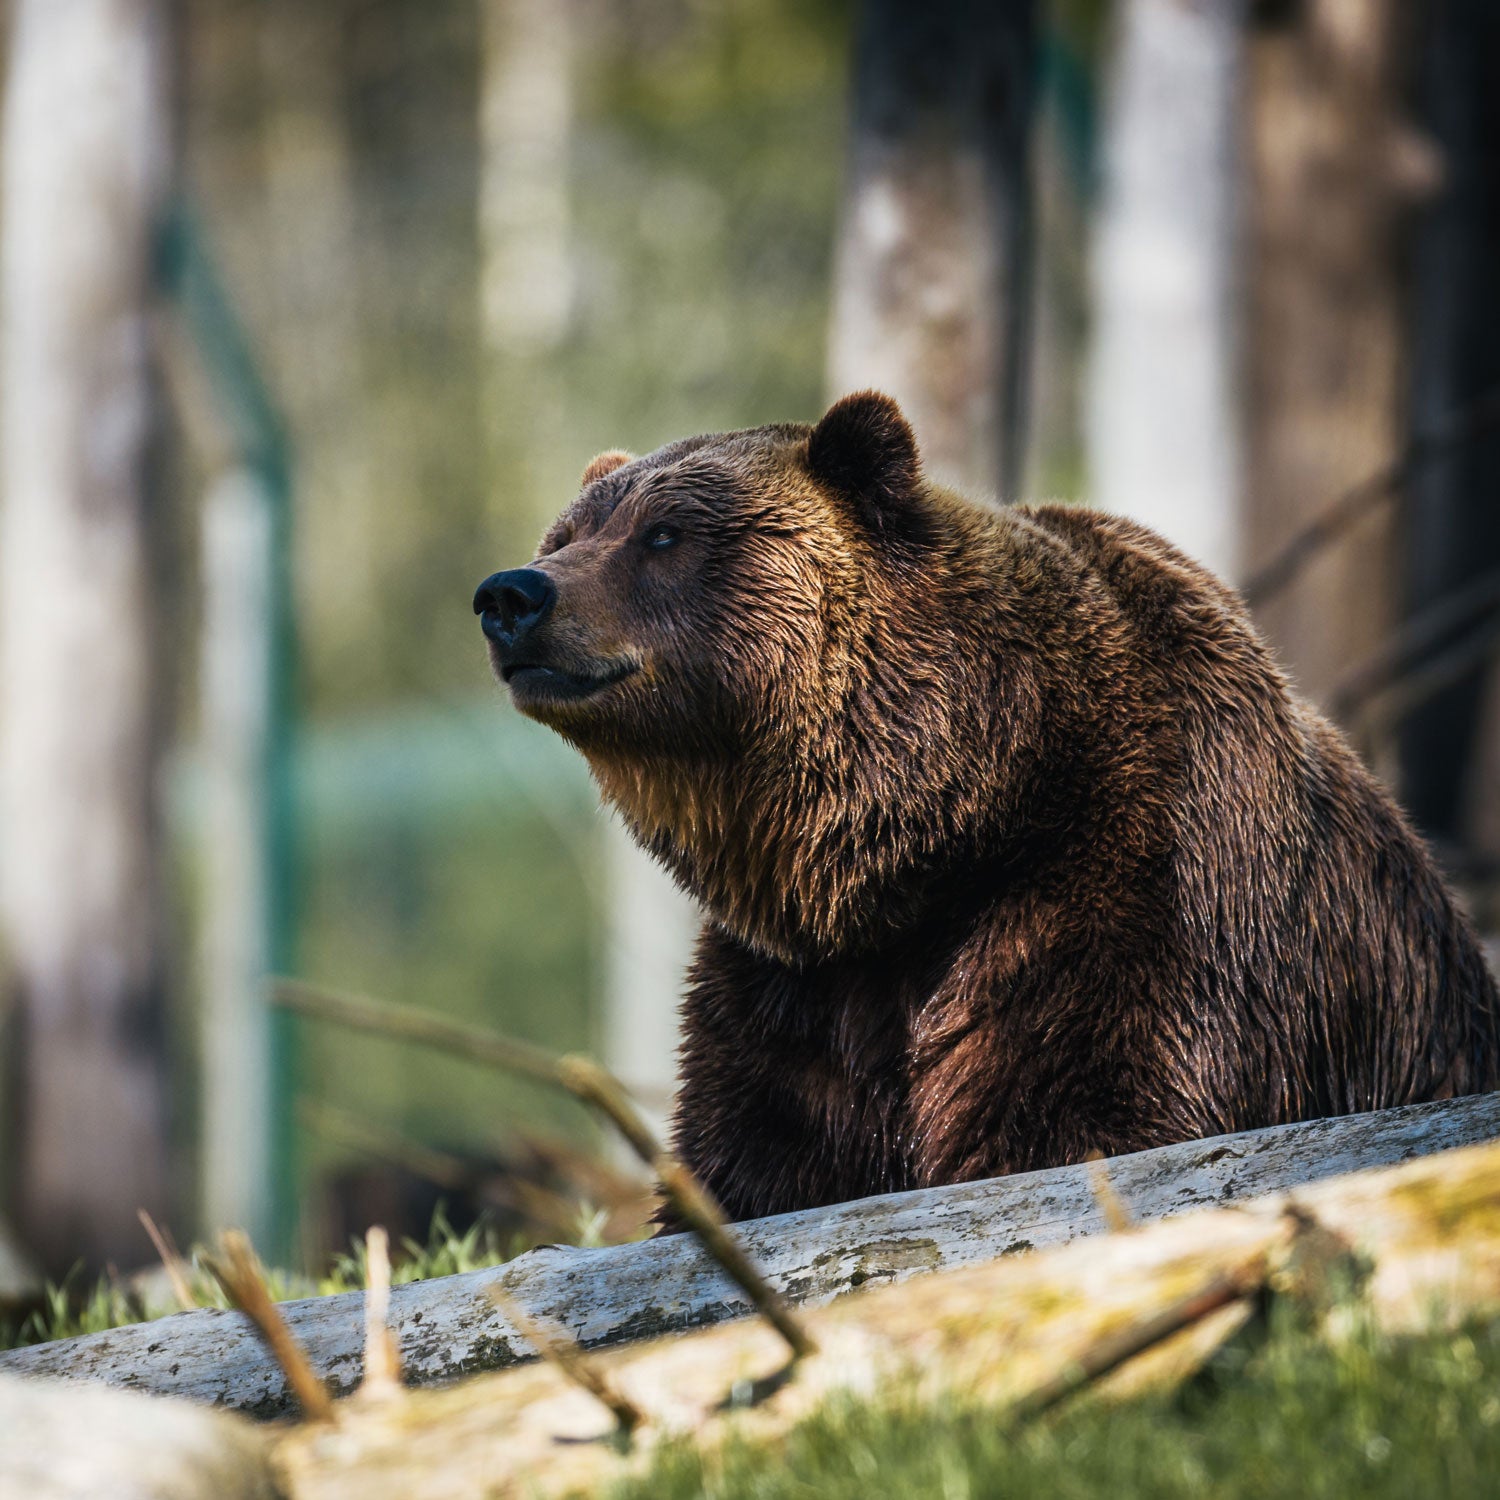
(586, 1081)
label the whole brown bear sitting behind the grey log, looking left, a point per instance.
(1013, 842)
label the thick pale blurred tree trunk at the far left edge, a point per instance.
(86, 158)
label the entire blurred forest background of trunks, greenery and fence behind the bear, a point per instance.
(313, 316)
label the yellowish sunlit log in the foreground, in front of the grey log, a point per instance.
(1397, 1252)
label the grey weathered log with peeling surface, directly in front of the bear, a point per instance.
(451, 1327)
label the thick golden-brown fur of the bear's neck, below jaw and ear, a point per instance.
(841, 836)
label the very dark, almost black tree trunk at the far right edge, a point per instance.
(1451, 748)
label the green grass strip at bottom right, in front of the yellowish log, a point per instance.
(1411, 1420)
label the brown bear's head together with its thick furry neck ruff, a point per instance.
(749, 638)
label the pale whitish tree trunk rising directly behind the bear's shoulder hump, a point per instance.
(1163, 424)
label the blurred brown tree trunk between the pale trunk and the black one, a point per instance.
(1331, 173)
